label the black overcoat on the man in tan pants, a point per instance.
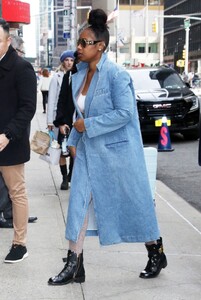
(18, 93)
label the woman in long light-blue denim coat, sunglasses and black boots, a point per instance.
(109, 168)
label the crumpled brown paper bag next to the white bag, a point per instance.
(40, 142)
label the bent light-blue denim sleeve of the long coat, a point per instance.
(123, 99)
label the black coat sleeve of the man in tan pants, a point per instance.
(26, 86)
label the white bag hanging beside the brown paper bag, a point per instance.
(53, 153)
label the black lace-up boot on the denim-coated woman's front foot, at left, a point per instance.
(73, 271)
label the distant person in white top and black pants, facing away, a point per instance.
(43, 86)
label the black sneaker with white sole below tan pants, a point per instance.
(17, 253)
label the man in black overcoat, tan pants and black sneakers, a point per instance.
(18, 105)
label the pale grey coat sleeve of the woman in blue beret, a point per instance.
(52, 99)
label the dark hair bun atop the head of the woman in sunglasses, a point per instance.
(98, 19)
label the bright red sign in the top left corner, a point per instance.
(16, 11)
